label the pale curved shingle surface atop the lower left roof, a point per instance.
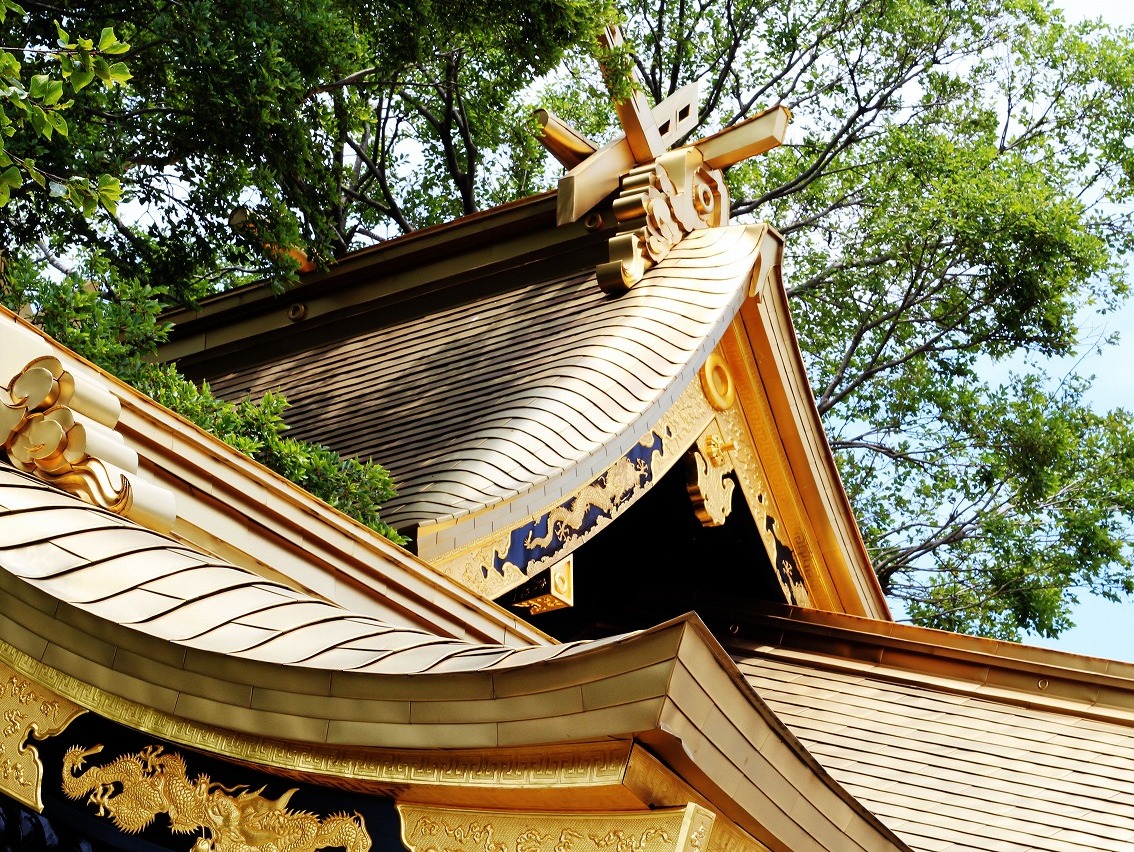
(111, 568)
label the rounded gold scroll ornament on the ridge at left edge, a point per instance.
(61, 429)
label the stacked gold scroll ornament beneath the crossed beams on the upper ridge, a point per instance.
(659, 204)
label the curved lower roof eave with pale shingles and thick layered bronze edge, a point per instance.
(126, 621)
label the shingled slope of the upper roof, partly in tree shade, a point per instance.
(489, 392)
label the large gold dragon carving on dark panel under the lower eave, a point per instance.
(134, 789)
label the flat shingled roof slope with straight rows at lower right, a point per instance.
(957, 772)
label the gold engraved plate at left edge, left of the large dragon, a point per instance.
(27, 708)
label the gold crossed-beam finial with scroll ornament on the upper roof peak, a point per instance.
(665, 195)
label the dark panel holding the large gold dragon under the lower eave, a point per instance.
(106, 787)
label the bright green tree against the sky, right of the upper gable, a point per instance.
(953, 195)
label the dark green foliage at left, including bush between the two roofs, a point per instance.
(266, 105)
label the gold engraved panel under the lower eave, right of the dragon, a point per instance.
(446, 830)
